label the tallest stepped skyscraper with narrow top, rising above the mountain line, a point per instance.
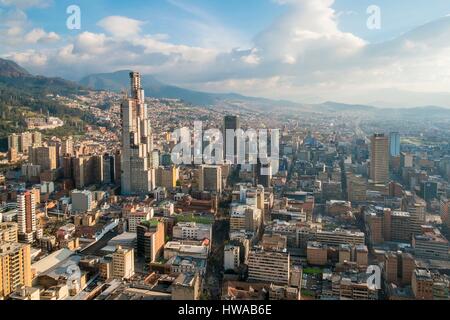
(138, 174)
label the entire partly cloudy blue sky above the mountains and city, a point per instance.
(303, 50)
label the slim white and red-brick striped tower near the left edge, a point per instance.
(26, 216)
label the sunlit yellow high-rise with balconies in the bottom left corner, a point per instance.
(15, 267)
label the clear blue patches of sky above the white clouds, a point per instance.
(248, 17)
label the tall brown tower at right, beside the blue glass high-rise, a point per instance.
(379, 158)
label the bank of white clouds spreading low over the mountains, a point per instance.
(302, 55)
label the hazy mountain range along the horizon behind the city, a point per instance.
(13, 75)
